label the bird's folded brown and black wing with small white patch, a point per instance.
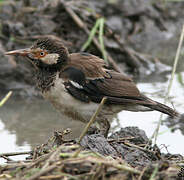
(87, 79)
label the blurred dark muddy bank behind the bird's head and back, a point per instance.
(133, 30)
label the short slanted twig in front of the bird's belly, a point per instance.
(92, 120)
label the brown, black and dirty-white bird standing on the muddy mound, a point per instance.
(75, 83)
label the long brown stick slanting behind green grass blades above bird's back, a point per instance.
(80, 23)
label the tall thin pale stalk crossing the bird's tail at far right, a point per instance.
(171, 81)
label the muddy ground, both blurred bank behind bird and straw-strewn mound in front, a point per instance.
(139, 37)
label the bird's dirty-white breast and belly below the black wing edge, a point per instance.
(67, 104)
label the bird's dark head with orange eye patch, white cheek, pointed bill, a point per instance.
(45, 53)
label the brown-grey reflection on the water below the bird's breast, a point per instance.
(34, 121)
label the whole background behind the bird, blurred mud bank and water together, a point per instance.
(141, 36)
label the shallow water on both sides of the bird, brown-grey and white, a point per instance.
(27, 123)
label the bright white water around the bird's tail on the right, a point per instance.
(148, 120)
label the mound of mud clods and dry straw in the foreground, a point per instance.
(126, 154)
